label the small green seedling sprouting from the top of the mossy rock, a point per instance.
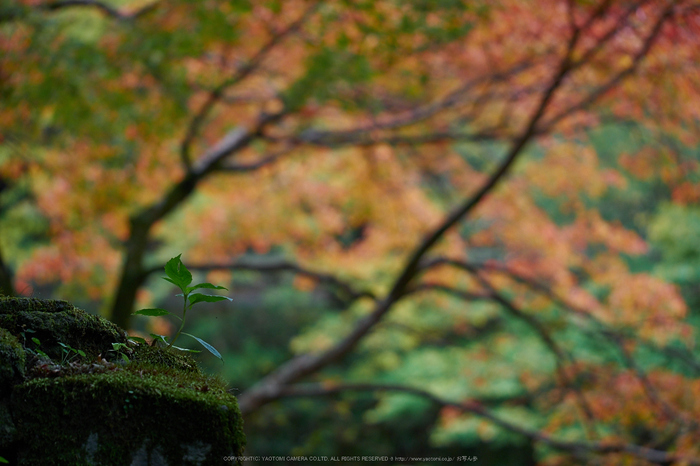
(179, 276)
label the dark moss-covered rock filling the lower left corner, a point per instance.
(156, 409)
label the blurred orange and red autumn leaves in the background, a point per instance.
(355, 189)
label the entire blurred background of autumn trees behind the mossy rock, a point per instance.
(451, 227)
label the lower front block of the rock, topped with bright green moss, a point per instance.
(113, 418)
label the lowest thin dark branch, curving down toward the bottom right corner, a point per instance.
(478, 409)
